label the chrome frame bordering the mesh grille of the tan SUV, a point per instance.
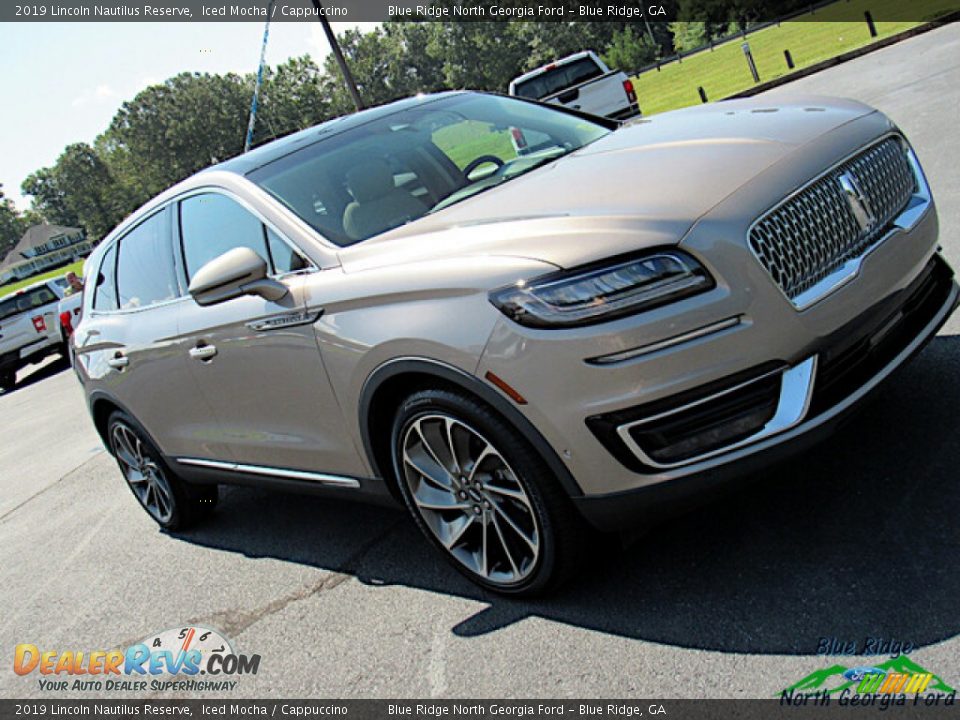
(917, 207)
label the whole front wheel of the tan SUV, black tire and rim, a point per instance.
(494, 489)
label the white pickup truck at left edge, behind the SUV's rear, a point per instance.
(30, 328)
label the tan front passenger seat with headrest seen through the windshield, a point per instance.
(377, 203)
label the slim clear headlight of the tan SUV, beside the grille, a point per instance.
(598, 293)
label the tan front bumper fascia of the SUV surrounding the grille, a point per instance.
(593, 391)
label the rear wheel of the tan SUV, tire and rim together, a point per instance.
(172, 503)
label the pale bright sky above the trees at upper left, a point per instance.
(63, 82)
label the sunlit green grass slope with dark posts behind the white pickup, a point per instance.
(724, 71)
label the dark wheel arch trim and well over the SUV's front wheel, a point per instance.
(391, 382)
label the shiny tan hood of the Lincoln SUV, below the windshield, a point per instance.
(641, 186)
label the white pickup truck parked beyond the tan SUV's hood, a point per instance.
(582, 82)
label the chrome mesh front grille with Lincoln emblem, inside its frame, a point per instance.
(834, 219)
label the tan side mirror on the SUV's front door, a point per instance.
(237, 272)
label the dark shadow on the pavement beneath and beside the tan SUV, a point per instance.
(855, 539)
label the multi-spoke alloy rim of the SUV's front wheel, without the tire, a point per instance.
(470, 498)
